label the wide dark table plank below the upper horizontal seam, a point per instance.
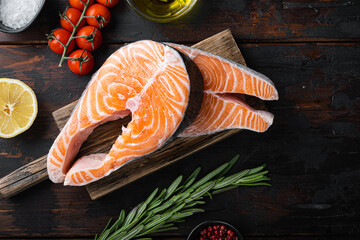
(312, 151)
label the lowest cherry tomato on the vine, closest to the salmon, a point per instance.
(83, 64)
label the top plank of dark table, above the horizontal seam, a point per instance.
(250, 21)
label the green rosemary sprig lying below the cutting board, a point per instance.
(161, 213)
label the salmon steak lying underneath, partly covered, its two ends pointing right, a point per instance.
(222, 109)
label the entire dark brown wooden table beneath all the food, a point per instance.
(312, 53)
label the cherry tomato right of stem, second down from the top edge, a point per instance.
(101, 16)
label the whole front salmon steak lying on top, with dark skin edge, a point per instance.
(159, 86)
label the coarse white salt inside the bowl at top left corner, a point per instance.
(18, 13)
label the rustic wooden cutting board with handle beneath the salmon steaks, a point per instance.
(101, 140)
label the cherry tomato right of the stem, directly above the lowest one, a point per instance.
(92, 38)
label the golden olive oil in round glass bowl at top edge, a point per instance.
(163, 8)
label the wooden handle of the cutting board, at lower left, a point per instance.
(24, 177)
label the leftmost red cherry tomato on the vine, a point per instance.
(63, 36)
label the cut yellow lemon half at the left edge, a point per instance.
(18, 107)
